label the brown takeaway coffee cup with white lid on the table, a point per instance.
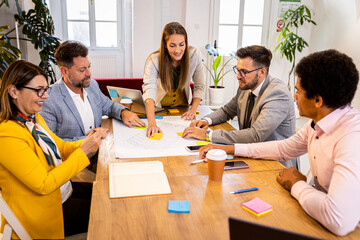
(216, 162)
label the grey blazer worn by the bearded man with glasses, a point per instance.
(272, 118)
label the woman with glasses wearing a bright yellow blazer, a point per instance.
(32, 167)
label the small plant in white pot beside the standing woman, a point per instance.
(216, 92)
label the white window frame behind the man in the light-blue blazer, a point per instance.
(92, 25)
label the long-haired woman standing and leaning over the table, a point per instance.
(167, 76)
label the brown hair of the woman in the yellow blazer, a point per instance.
(19, 74)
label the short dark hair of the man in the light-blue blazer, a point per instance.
(69, 50)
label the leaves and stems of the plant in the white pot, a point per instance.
(216, 73)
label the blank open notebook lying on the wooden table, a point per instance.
(137, 179)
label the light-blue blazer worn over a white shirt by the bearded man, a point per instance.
(62, 117)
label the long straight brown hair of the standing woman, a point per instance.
(165, 62)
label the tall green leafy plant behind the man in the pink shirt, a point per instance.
(289, 40)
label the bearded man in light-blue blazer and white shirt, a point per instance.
(76, 104)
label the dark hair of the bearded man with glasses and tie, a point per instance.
(261, 55)
